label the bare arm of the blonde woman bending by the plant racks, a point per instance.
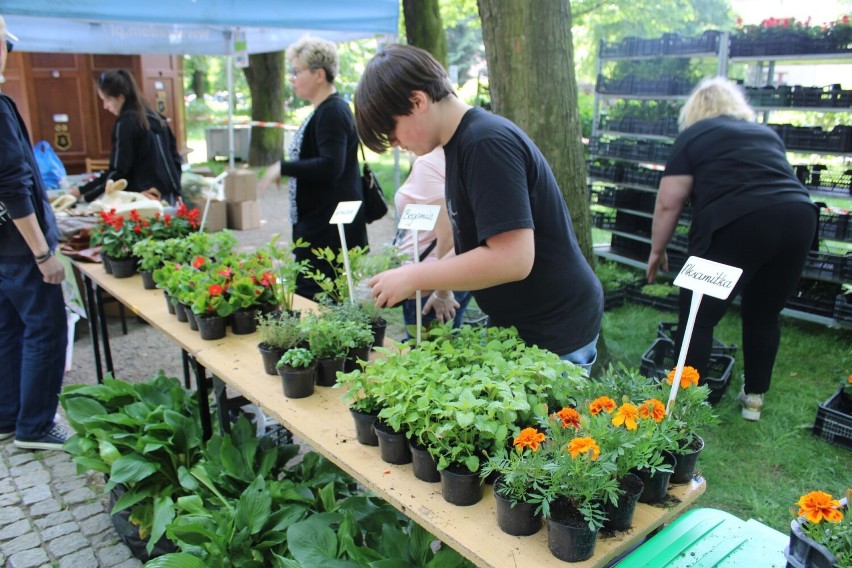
(673, 194)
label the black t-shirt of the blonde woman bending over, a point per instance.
(738, 167)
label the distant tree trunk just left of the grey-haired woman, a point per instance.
(265, 79)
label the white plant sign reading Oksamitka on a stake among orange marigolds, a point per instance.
(702, 277)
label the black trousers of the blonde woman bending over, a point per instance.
(771, 246)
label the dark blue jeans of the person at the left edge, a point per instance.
(33, 339)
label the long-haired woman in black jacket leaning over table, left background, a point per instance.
(144, 151)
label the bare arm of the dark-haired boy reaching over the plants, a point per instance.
(505, 257)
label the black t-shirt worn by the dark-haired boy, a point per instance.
(498, 181)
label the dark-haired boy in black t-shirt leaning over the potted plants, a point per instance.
(515, 245)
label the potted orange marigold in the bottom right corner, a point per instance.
(821, 531)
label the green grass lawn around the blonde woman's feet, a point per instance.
(759, 469)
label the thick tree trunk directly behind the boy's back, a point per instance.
(530, 54)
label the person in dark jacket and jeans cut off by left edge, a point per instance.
(33, 325)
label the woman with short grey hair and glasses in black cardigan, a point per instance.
(323, 159)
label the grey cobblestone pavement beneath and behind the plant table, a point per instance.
(52, 517)
